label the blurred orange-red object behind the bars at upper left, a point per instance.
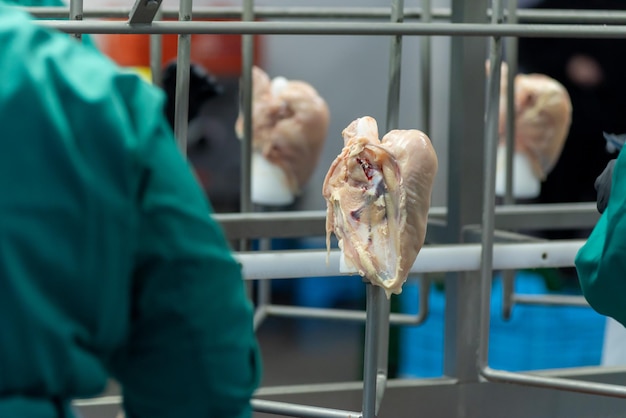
(218, 54)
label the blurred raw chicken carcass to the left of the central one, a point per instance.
(289, 126)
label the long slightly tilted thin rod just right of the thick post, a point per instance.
(489, 194)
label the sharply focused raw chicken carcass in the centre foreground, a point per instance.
(378, 197)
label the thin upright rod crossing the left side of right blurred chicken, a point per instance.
(508, 277)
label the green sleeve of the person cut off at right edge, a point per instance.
(601, 262)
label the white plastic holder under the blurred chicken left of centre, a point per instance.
(269, 185)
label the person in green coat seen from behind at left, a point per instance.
(111, 265)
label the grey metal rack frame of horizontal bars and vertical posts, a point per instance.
(467, 330)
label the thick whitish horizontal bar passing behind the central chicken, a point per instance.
(432, 259)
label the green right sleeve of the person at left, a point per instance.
(192, 350)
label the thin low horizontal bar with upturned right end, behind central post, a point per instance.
(342, 314)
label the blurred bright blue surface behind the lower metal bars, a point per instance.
(535, 337)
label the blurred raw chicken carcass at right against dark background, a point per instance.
(543, 112)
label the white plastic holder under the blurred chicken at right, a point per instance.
(525, 184)
